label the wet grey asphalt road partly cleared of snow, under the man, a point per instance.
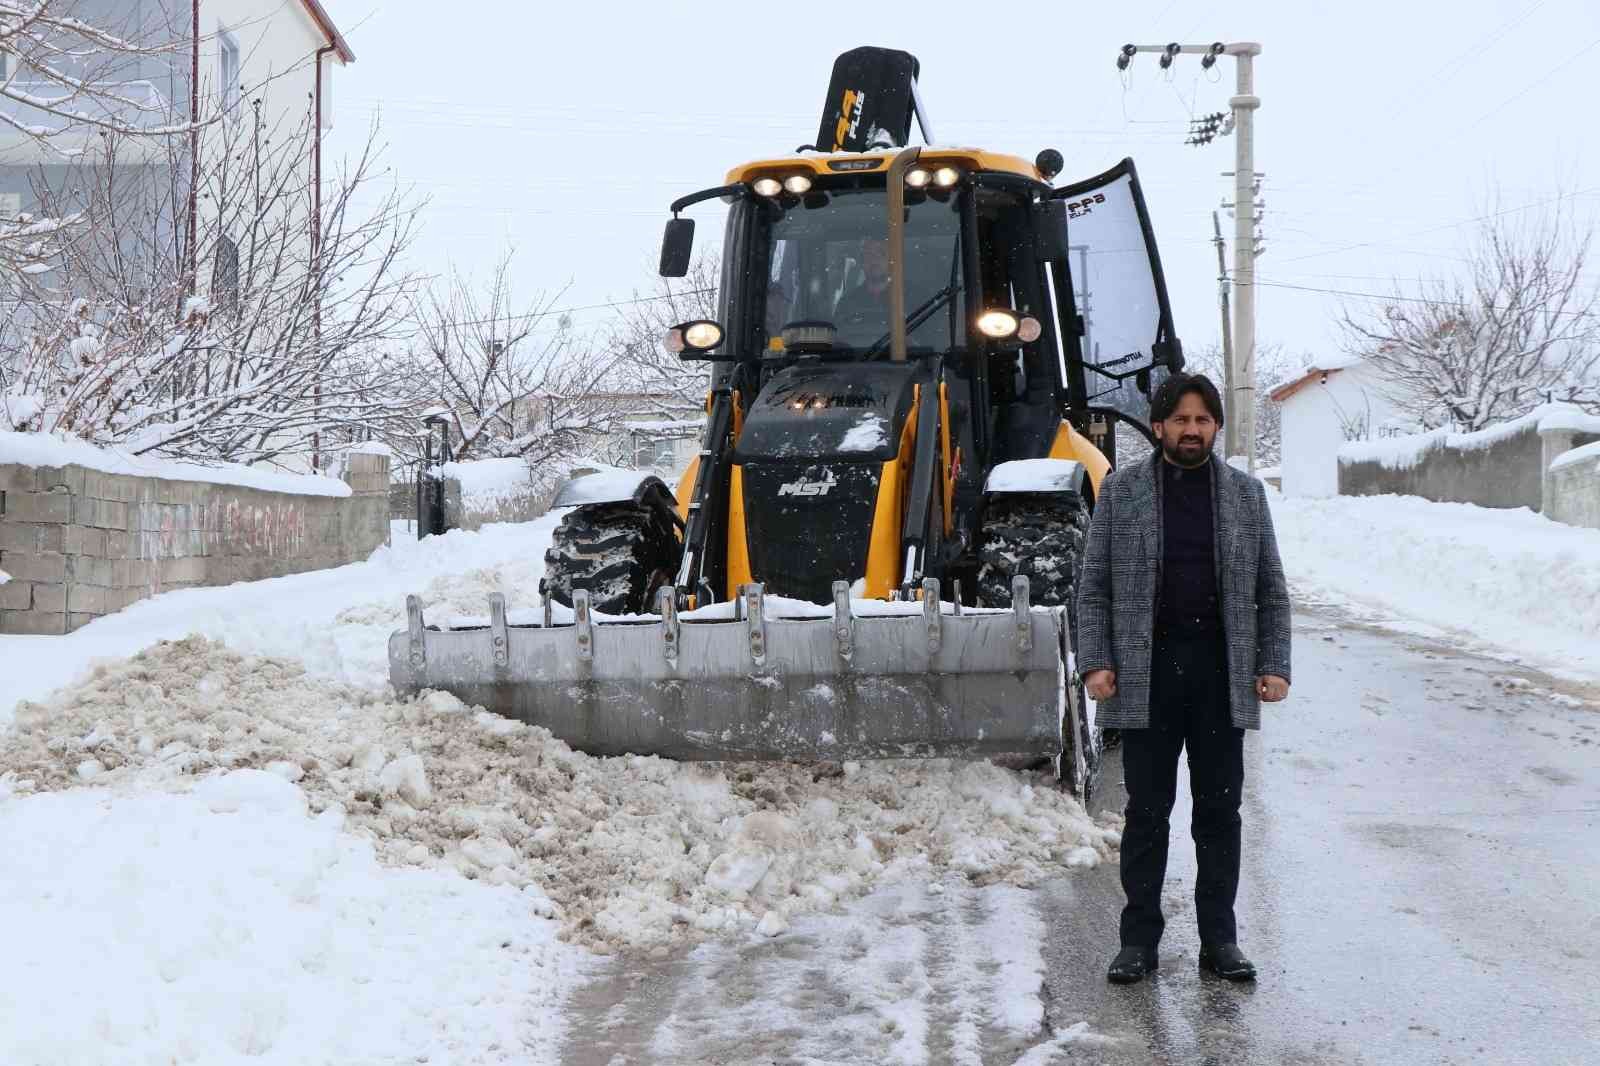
(1422, 886)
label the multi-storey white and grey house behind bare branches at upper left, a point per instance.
(246, 58)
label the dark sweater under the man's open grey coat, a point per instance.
(1190, 604)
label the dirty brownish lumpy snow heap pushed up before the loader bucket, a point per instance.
(633, 852)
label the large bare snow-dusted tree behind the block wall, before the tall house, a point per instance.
(286, 350)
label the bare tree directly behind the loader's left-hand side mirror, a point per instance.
(642, 326)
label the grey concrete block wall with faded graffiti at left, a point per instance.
(81, 543)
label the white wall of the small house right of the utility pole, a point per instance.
(1314, 427)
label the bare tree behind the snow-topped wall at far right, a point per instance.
(1522, 327)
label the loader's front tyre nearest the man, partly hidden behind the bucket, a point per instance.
(1041, 537)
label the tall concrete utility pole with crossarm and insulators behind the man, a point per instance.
(1244, 105)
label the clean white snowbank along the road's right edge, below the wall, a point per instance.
(1510, 580)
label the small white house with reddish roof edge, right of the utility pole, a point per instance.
(1327, 404)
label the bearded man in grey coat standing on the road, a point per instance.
(1183, 633)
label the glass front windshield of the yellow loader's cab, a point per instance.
(828, 262)
